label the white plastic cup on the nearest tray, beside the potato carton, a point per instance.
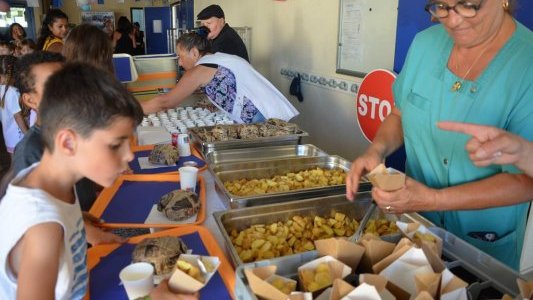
(137, 279)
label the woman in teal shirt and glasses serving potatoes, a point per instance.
(475, 66)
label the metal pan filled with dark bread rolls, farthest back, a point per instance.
(206, 147)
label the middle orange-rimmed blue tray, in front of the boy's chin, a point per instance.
(128, 202)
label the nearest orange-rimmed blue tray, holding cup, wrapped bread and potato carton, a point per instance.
(104, 262)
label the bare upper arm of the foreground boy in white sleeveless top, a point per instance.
(39, 250)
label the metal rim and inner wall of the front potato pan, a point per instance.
(240, 219)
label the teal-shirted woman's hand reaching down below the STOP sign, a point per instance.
(360, 166)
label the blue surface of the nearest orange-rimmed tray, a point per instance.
(104, 280)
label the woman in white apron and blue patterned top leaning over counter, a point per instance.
(229, 81)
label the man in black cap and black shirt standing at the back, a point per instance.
(223, 38)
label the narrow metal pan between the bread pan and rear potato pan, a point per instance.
(262, 153)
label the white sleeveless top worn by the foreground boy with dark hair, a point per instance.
(22, 208)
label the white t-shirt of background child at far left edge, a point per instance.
(11, 130)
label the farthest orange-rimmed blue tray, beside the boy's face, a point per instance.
(144, 151)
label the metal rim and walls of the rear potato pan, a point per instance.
(270, 168)
